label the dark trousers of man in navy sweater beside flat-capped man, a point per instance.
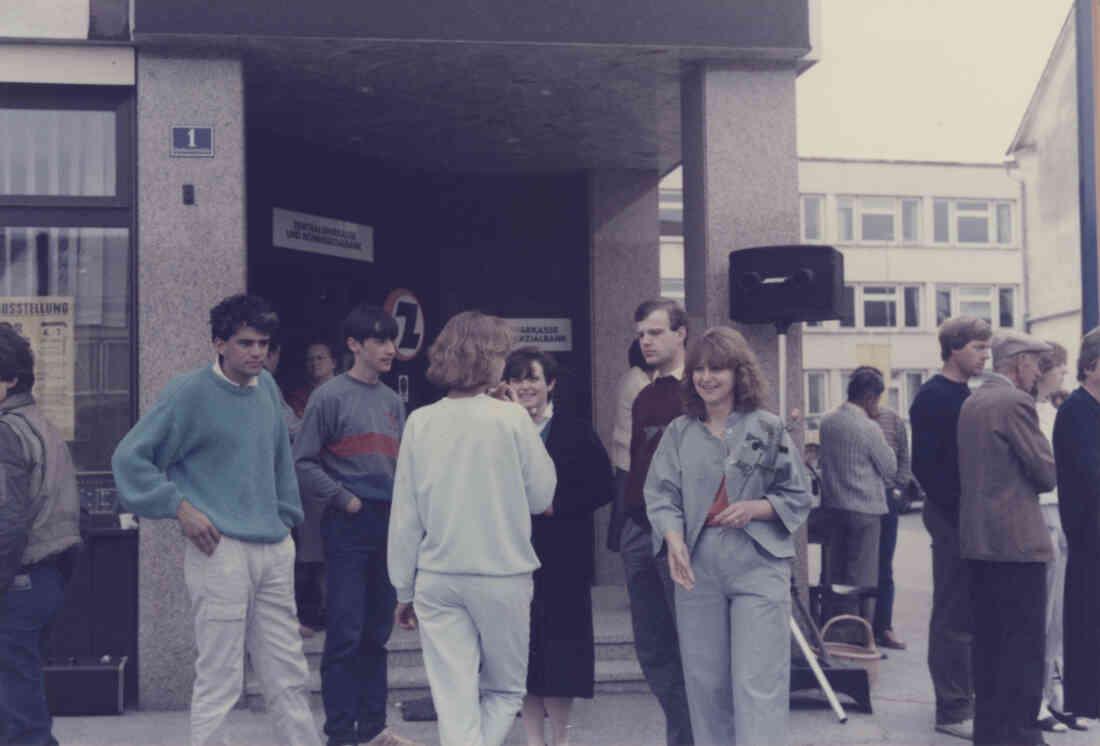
(951, 629)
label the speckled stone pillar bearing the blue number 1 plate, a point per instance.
(190, 257)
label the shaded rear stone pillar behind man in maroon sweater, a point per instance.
(625, 257)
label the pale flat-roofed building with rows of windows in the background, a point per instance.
(922, 242)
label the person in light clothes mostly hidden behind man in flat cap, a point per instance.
(1052, 368)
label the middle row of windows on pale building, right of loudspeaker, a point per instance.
(874, 306)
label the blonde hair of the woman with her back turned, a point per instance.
(468, 352)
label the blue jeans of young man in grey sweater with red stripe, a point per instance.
(360, 619)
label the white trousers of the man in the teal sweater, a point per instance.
(243, 598)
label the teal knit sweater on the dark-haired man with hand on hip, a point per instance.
(223, 447)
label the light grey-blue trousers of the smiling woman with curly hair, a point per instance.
(735, 641)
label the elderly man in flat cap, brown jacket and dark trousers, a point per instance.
(1005, 464)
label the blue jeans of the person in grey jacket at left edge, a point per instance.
(27, 609)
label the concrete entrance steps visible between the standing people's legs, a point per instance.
(618, 671)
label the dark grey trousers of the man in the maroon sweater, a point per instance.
(653, 617)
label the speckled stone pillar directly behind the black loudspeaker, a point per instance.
(741, 173)
